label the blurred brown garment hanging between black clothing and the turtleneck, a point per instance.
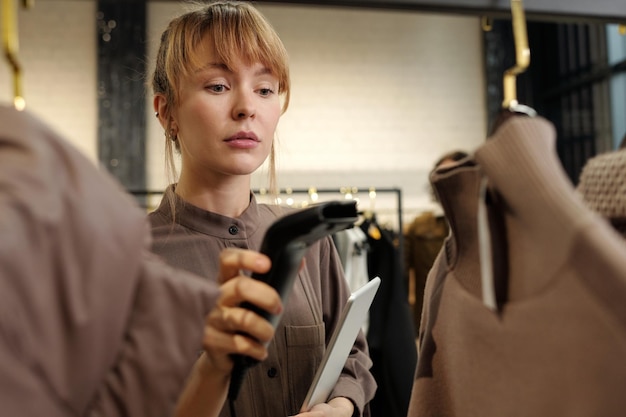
(423, 240)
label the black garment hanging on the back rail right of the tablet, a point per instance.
(391, 335)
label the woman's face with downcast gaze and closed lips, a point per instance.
(226, 117)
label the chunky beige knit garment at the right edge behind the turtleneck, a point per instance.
(602, 186)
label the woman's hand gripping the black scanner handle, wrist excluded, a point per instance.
(231, 329)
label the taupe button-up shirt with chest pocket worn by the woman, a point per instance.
(278, 385)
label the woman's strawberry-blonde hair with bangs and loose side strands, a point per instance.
(237, 30)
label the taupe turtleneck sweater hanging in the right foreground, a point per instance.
(556, 344)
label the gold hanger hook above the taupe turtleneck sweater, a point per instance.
(522, 54)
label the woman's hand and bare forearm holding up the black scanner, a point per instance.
(230, 329)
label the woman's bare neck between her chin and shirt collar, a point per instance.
(229, 198)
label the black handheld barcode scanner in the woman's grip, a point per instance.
(285, 243)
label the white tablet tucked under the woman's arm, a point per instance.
(341, 343)
